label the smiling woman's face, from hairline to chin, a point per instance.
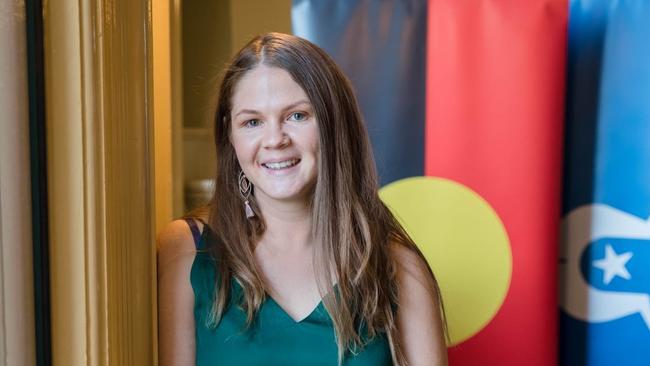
(275, 134)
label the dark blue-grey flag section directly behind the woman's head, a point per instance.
(380, 45)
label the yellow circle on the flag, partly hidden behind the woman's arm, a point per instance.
(465, 243)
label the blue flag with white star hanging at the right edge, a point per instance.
(605, 254)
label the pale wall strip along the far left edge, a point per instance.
(17, 342)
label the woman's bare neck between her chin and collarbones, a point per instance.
(288, 224)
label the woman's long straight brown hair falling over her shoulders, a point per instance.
(353, 228)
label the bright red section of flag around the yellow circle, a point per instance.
(494, 121)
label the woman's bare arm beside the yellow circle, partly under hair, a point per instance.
(418, 314)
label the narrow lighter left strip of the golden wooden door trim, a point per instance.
(65, 182)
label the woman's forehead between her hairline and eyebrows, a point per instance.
(266, 88)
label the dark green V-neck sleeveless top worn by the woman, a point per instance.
(274, 338)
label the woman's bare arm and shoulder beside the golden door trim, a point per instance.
(176, 329)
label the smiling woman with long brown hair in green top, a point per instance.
(298, 262)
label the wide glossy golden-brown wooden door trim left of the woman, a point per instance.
(100, 163)
